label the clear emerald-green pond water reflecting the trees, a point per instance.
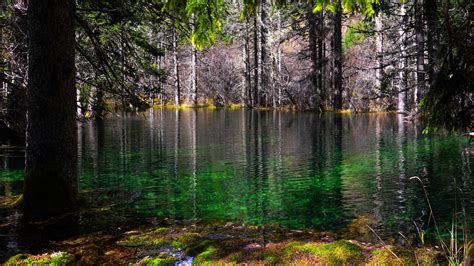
(294, 169)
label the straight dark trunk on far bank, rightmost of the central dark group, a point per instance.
(337, 57)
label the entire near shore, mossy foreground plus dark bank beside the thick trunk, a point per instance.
(113, 238)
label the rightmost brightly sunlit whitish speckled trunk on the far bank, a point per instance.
(402, 88)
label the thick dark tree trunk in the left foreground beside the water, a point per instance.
(51, 142)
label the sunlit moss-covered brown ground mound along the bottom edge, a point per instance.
(225, 244)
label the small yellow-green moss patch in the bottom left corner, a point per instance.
(57, 258)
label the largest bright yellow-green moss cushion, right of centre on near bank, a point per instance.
(335, 253)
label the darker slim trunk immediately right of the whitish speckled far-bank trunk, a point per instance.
(420, 53)
